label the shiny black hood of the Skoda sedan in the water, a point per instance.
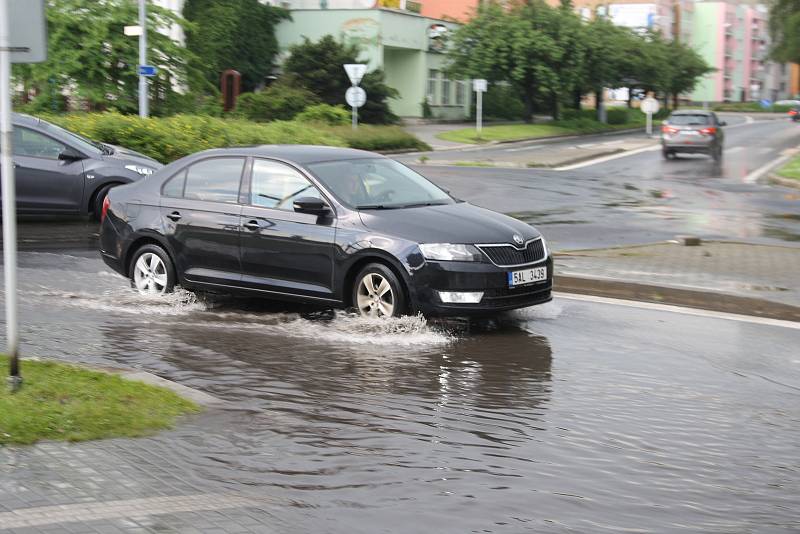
(450, 223)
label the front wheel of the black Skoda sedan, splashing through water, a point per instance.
(372, 298)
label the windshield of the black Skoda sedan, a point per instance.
(378, 183)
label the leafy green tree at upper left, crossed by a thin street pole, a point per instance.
(90, 57)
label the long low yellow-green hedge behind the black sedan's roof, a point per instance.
(170, 138)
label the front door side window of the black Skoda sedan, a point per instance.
(276, 185)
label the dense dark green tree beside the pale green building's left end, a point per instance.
(236, 34)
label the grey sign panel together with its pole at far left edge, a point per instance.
(23, 39)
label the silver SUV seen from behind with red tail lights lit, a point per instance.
(692, 132)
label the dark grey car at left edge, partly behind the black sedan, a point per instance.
(59, 172)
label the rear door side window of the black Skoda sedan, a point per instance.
(214, 180)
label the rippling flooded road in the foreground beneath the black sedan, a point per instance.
(575, 416)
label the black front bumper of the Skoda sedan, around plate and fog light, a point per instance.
(435, 276)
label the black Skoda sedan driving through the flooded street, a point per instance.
(337, 226)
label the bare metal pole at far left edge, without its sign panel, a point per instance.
(9, 201)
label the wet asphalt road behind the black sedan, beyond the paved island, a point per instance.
(641, 198)
